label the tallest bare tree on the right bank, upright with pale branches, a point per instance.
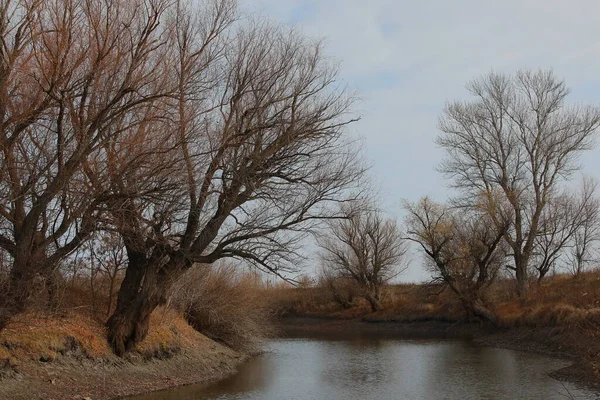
(516, 138)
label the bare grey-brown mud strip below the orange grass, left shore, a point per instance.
(114, 378)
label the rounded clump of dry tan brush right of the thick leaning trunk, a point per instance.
(225, 305)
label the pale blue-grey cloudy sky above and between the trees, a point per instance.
(407, 58)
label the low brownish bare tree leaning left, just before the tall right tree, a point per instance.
(465, 250)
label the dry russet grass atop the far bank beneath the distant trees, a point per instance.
(561, 300)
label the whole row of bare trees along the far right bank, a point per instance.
(511, 154)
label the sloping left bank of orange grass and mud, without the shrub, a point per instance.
(67, 357)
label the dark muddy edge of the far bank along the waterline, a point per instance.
(571, 344)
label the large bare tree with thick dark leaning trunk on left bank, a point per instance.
(260, 158)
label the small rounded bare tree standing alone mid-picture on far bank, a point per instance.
(366, 248)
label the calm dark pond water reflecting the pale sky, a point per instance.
(385, 368)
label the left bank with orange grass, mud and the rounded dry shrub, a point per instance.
(214, 320)
